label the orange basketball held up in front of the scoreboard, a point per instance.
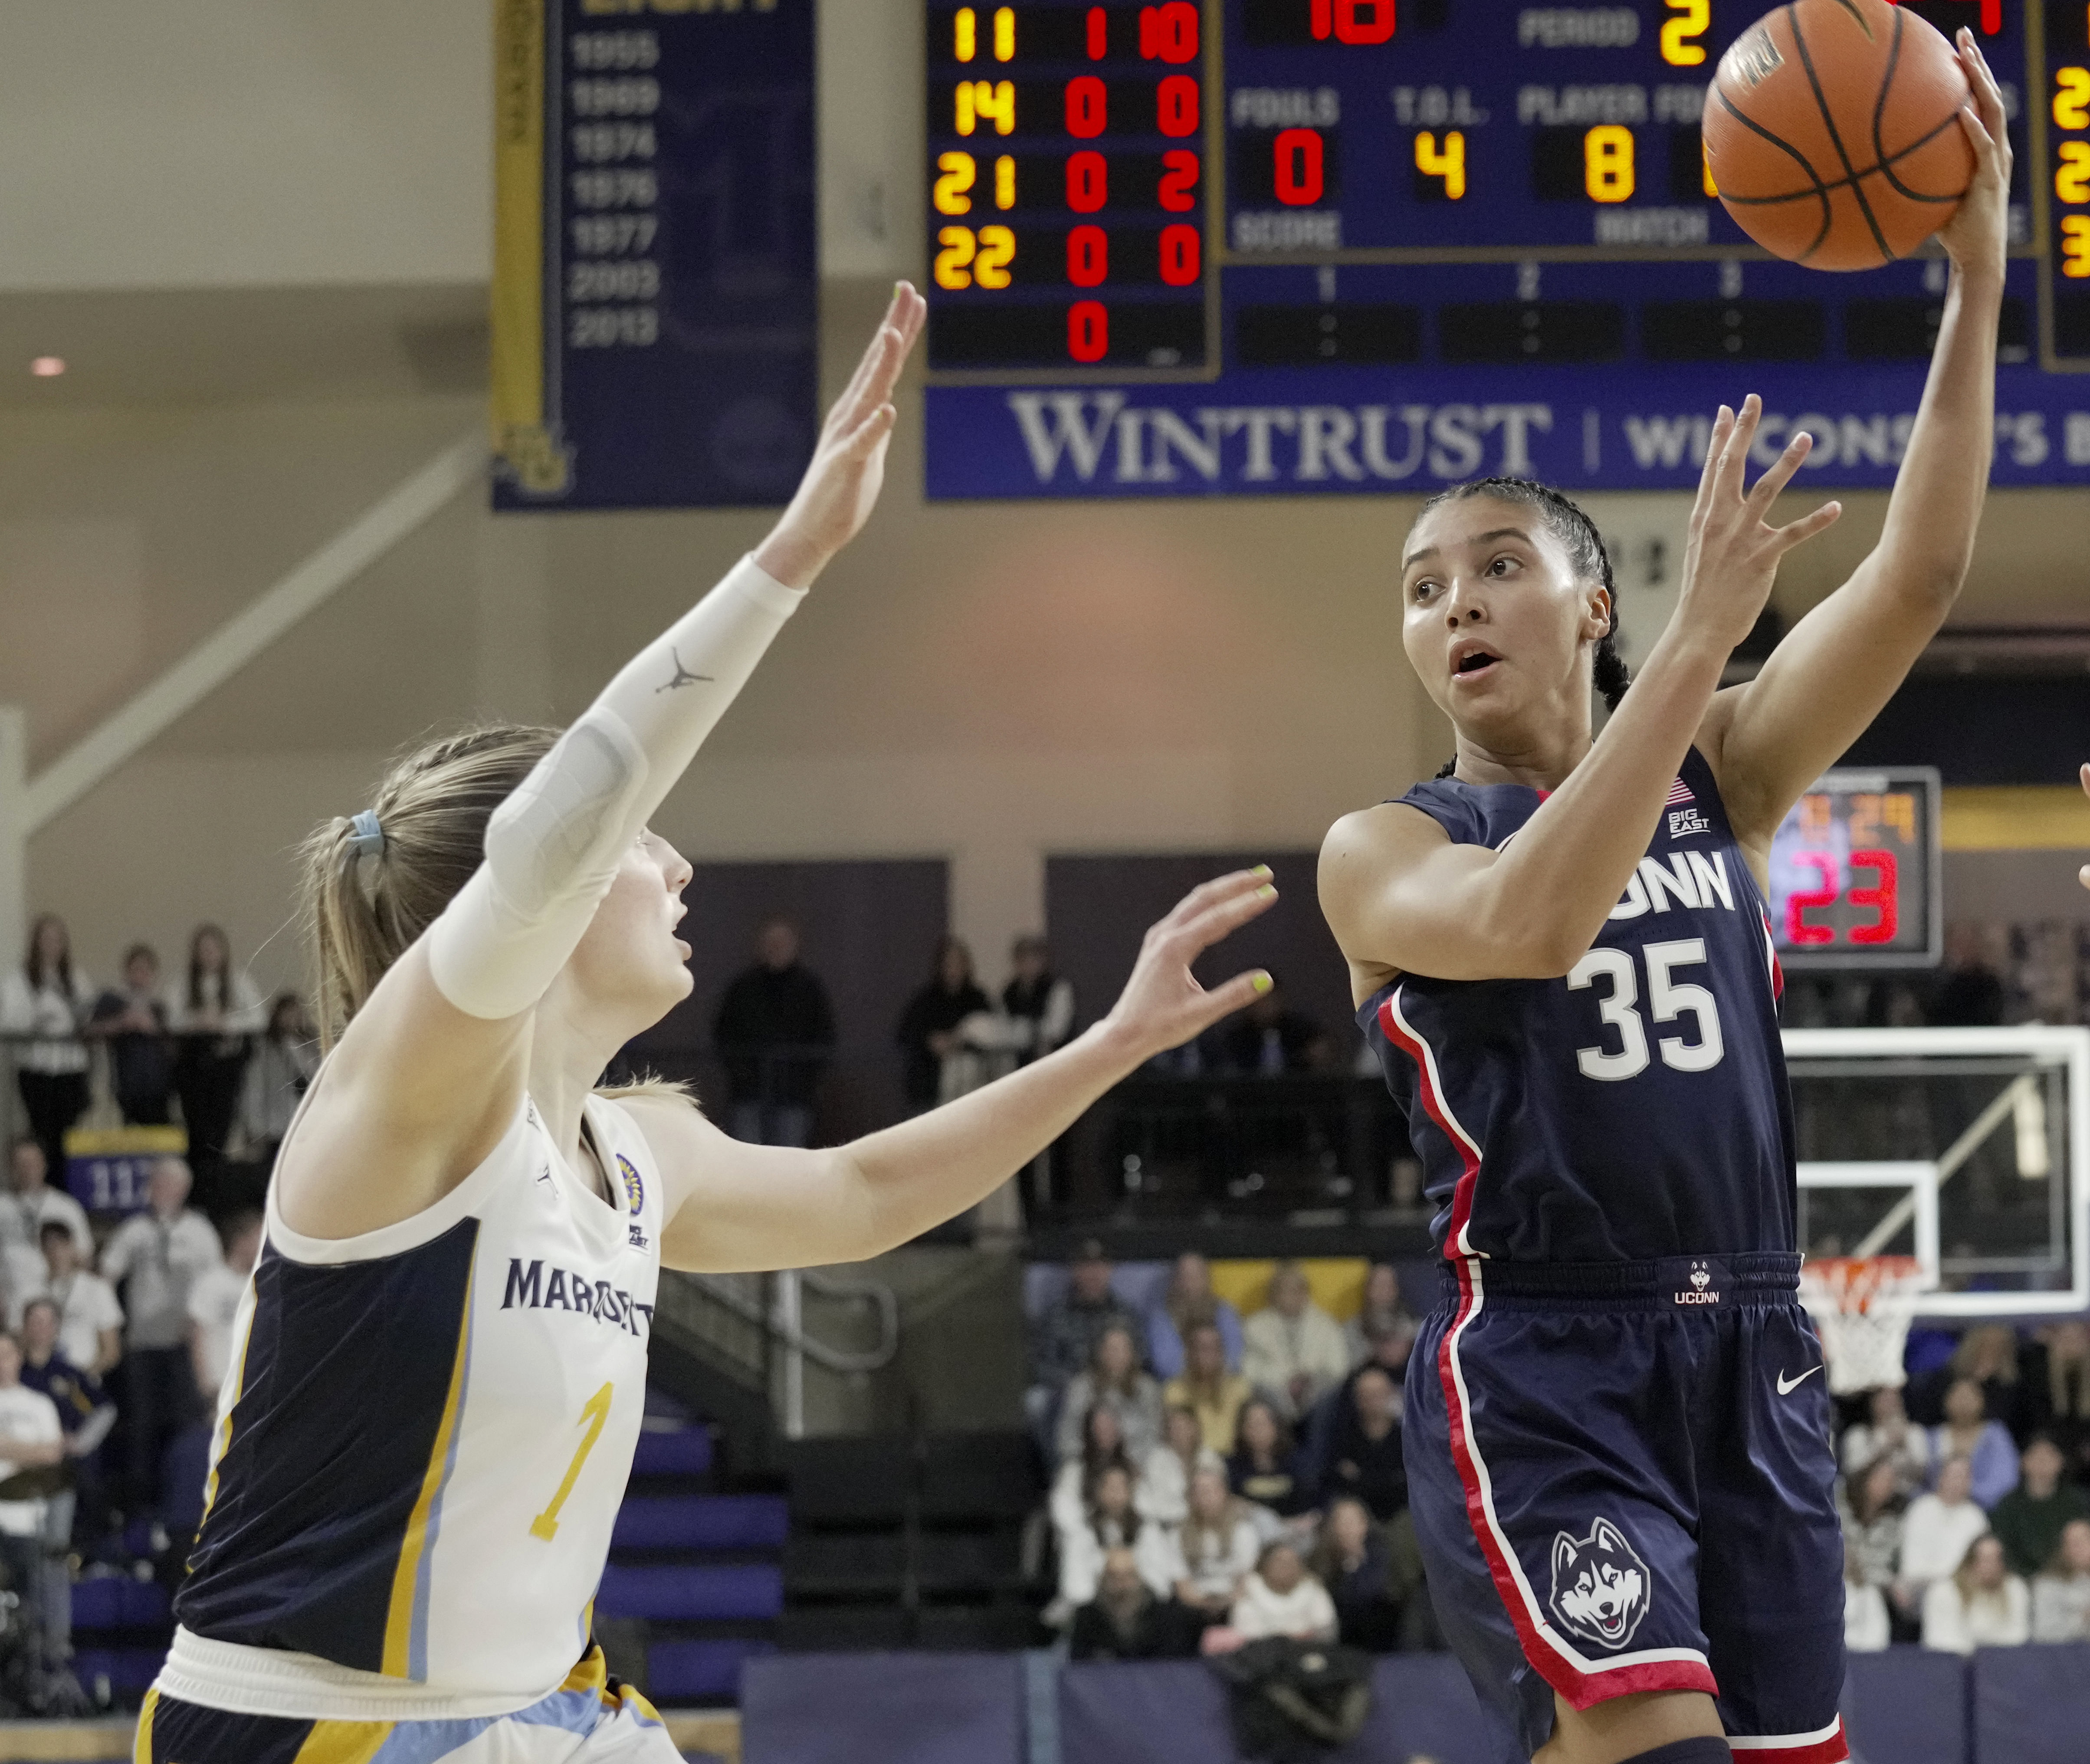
(1832, 133)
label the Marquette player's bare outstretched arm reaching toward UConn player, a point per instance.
(739, 1207)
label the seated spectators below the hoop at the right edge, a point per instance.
(1966, 1498)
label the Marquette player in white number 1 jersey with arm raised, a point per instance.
(442, 1362)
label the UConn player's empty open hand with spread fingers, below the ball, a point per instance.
(1734, 551)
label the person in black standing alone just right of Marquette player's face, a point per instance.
(776, 1034)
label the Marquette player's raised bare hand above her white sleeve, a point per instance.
(850, 463)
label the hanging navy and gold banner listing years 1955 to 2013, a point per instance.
(655, 285)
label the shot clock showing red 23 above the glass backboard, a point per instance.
(1857, 871)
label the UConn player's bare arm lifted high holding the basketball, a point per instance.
(1771, 739)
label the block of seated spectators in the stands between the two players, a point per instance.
(1224, 1479)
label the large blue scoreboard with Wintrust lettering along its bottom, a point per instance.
(1364, 246)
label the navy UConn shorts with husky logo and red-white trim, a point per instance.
(1621, 1481)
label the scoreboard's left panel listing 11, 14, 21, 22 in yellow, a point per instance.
(1069, 187)
